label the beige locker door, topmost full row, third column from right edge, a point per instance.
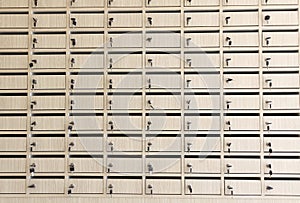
(203, 19)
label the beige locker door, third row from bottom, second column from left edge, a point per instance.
(44, 144)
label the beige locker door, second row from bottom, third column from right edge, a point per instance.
(202, 165)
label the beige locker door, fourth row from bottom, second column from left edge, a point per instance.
(53, 123)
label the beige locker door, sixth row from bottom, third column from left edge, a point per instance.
(81, 81)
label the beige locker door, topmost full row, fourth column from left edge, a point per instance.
(128, 20)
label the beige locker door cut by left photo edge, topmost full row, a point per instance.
(13, 20)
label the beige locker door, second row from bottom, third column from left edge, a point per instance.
(87, 165)
